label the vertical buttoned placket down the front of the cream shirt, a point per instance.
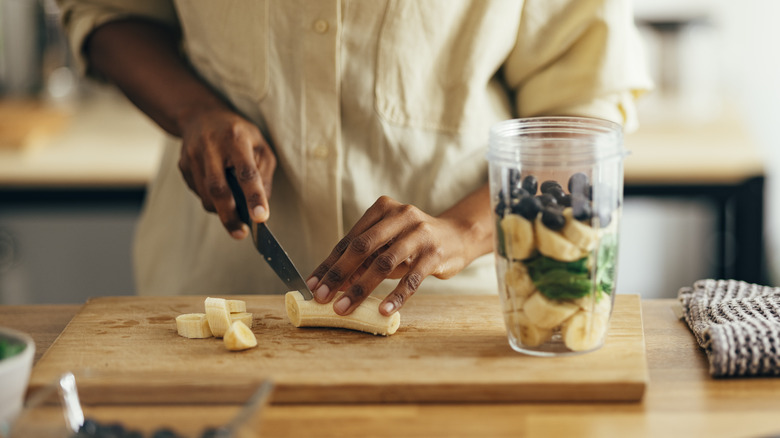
(321, 124)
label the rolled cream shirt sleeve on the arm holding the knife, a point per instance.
(81, 17)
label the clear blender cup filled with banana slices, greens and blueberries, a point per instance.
(556, 186)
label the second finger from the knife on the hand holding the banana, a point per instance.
(359, 249)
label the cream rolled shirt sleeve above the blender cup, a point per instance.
(578, 58)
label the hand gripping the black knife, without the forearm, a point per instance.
(215, 139)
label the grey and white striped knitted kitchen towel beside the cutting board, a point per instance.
(737, 324)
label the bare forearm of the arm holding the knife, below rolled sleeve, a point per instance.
(142, 58)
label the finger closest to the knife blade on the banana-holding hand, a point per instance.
(374, 214)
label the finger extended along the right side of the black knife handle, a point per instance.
(248, 176)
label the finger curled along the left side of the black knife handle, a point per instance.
(218, 190)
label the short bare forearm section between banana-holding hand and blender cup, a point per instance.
(474, 216)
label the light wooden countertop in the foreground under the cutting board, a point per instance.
(681, 399)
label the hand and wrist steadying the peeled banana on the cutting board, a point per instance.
(394, 240)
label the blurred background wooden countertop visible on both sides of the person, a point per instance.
(109, 143)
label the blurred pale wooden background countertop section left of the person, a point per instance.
(105, 142)
